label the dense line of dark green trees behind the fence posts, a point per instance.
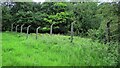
(91, 19)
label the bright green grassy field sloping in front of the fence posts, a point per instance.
(55, 50)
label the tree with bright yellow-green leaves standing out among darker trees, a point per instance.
(59, 15)
